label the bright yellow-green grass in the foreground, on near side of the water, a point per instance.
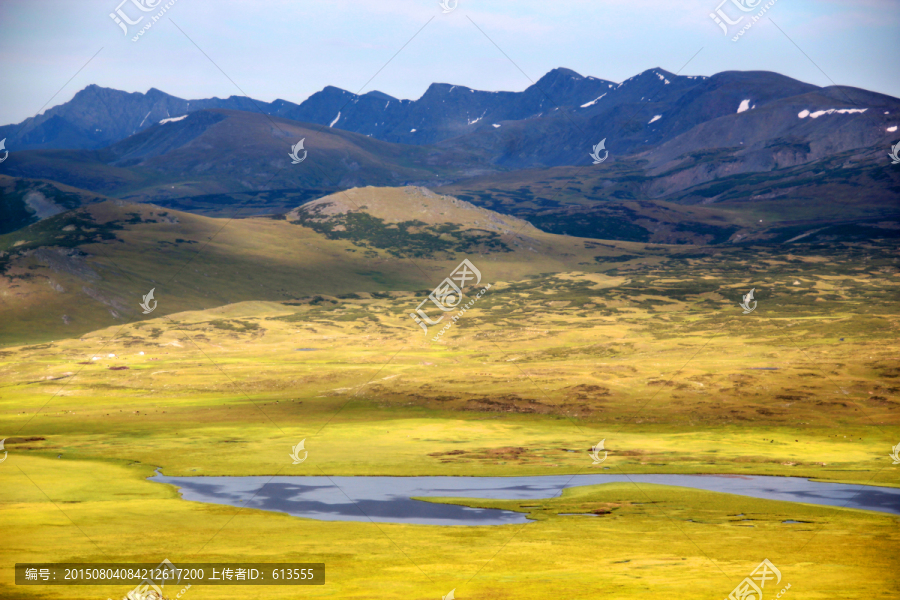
(648, 541)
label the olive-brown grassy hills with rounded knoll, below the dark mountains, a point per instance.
(89, 267)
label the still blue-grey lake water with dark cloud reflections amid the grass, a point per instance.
(389, 499)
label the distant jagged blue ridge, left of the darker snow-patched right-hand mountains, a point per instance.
(97, 117)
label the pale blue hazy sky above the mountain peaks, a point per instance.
(289, 49)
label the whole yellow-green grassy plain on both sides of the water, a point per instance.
(643, 346)
